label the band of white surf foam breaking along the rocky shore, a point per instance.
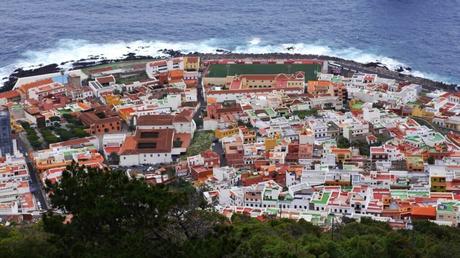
(67, 50)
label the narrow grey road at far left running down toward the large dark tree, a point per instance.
(36, 185)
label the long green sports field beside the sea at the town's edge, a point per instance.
(222, 70)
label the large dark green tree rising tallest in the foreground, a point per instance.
(113, 216)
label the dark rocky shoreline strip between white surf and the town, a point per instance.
(349, 65)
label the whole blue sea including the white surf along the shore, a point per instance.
(420, 33)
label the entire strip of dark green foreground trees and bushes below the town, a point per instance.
(117, 217)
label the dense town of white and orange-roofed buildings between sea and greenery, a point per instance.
(267, 138)
